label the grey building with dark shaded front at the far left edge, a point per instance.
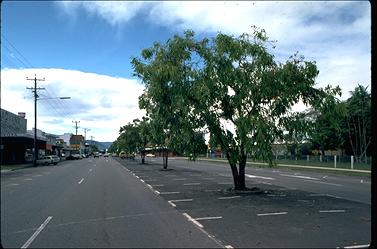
(16, 145)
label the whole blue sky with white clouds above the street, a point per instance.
(83, 50)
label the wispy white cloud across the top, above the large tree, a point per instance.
(337, 35)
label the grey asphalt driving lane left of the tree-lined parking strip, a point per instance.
(93, 203)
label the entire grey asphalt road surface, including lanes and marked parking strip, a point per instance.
(109, 202)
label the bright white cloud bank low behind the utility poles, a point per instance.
(101, 103)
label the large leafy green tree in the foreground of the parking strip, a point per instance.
(230, 86)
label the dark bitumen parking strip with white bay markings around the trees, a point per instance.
(273, 216)
